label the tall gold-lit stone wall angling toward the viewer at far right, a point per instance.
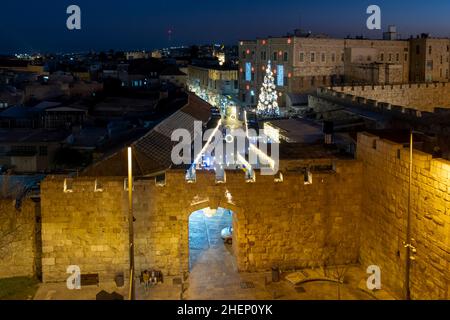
(383, 218)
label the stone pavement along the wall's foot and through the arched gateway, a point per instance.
(214, 276)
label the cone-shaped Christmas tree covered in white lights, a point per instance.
(267, 103)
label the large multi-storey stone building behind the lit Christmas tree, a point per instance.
(305, 62)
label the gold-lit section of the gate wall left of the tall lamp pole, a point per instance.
(85, 228)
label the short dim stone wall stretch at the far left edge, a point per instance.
(18, 239)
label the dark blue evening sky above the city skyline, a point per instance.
(30, 25)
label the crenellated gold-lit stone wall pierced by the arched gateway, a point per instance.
(288, 224)
